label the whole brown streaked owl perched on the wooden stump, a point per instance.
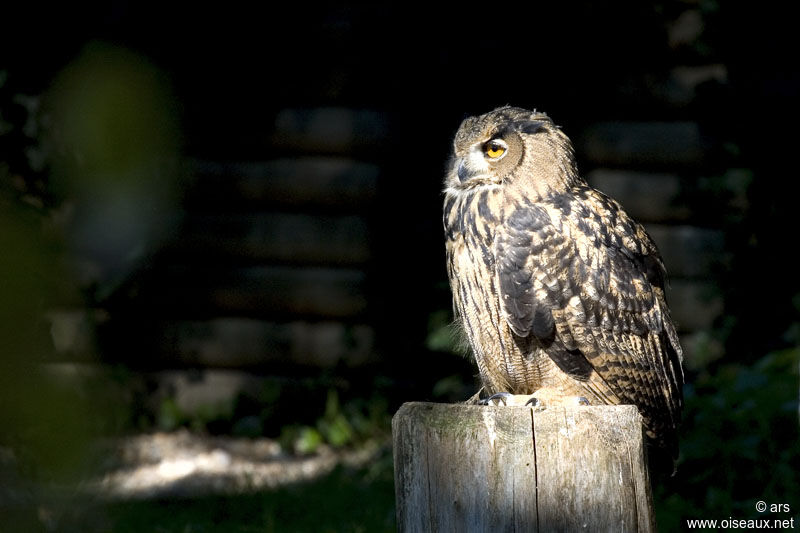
(559, 292)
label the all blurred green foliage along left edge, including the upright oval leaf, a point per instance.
(86, 185)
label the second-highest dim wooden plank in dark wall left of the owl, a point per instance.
(322, 182)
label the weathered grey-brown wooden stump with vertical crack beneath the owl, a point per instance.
(474, 468)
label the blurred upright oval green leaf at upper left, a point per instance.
(114, 141)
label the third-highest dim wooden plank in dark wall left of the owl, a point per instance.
(276, 237)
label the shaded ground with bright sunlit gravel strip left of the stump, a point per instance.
(183, 482)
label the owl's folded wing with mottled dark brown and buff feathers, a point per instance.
(587, 281)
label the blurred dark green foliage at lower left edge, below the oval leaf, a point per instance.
(46, 424)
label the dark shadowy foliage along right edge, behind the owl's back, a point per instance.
(740, 440)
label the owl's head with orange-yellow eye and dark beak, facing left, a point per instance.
(511, 145)
